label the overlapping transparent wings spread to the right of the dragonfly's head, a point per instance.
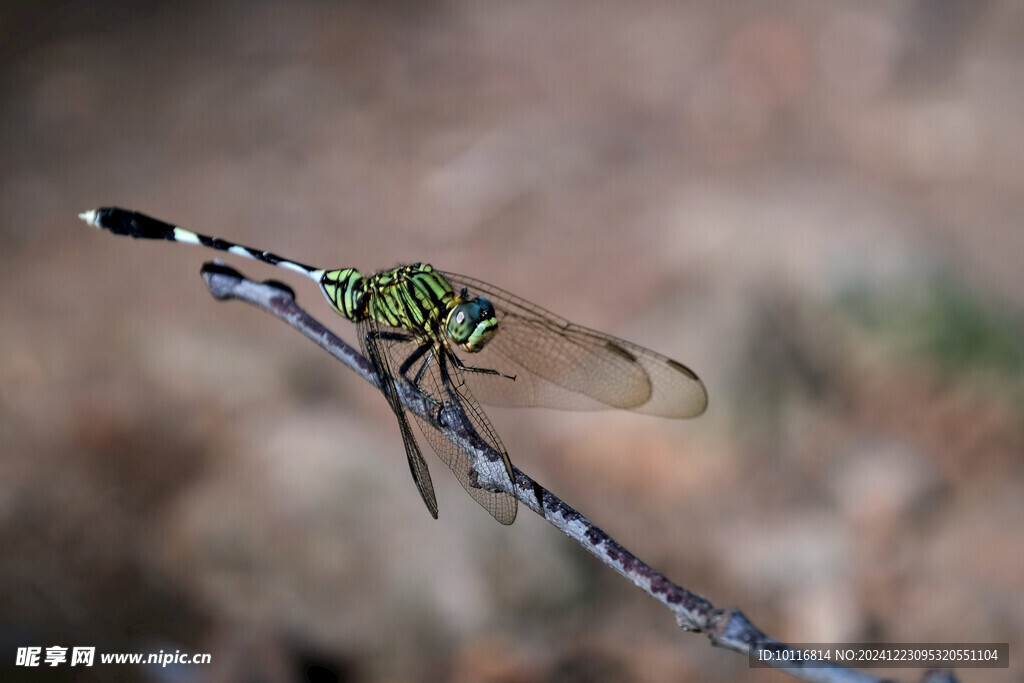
(559, 364)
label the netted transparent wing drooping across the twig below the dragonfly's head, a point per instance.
(444, 381)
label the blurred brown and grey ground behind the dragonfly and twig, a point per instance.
(817, 206)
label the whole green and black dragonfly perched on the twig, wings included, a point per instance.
(458, 341)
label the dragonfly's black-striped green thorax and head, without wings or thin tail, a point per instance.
(415, 298)
